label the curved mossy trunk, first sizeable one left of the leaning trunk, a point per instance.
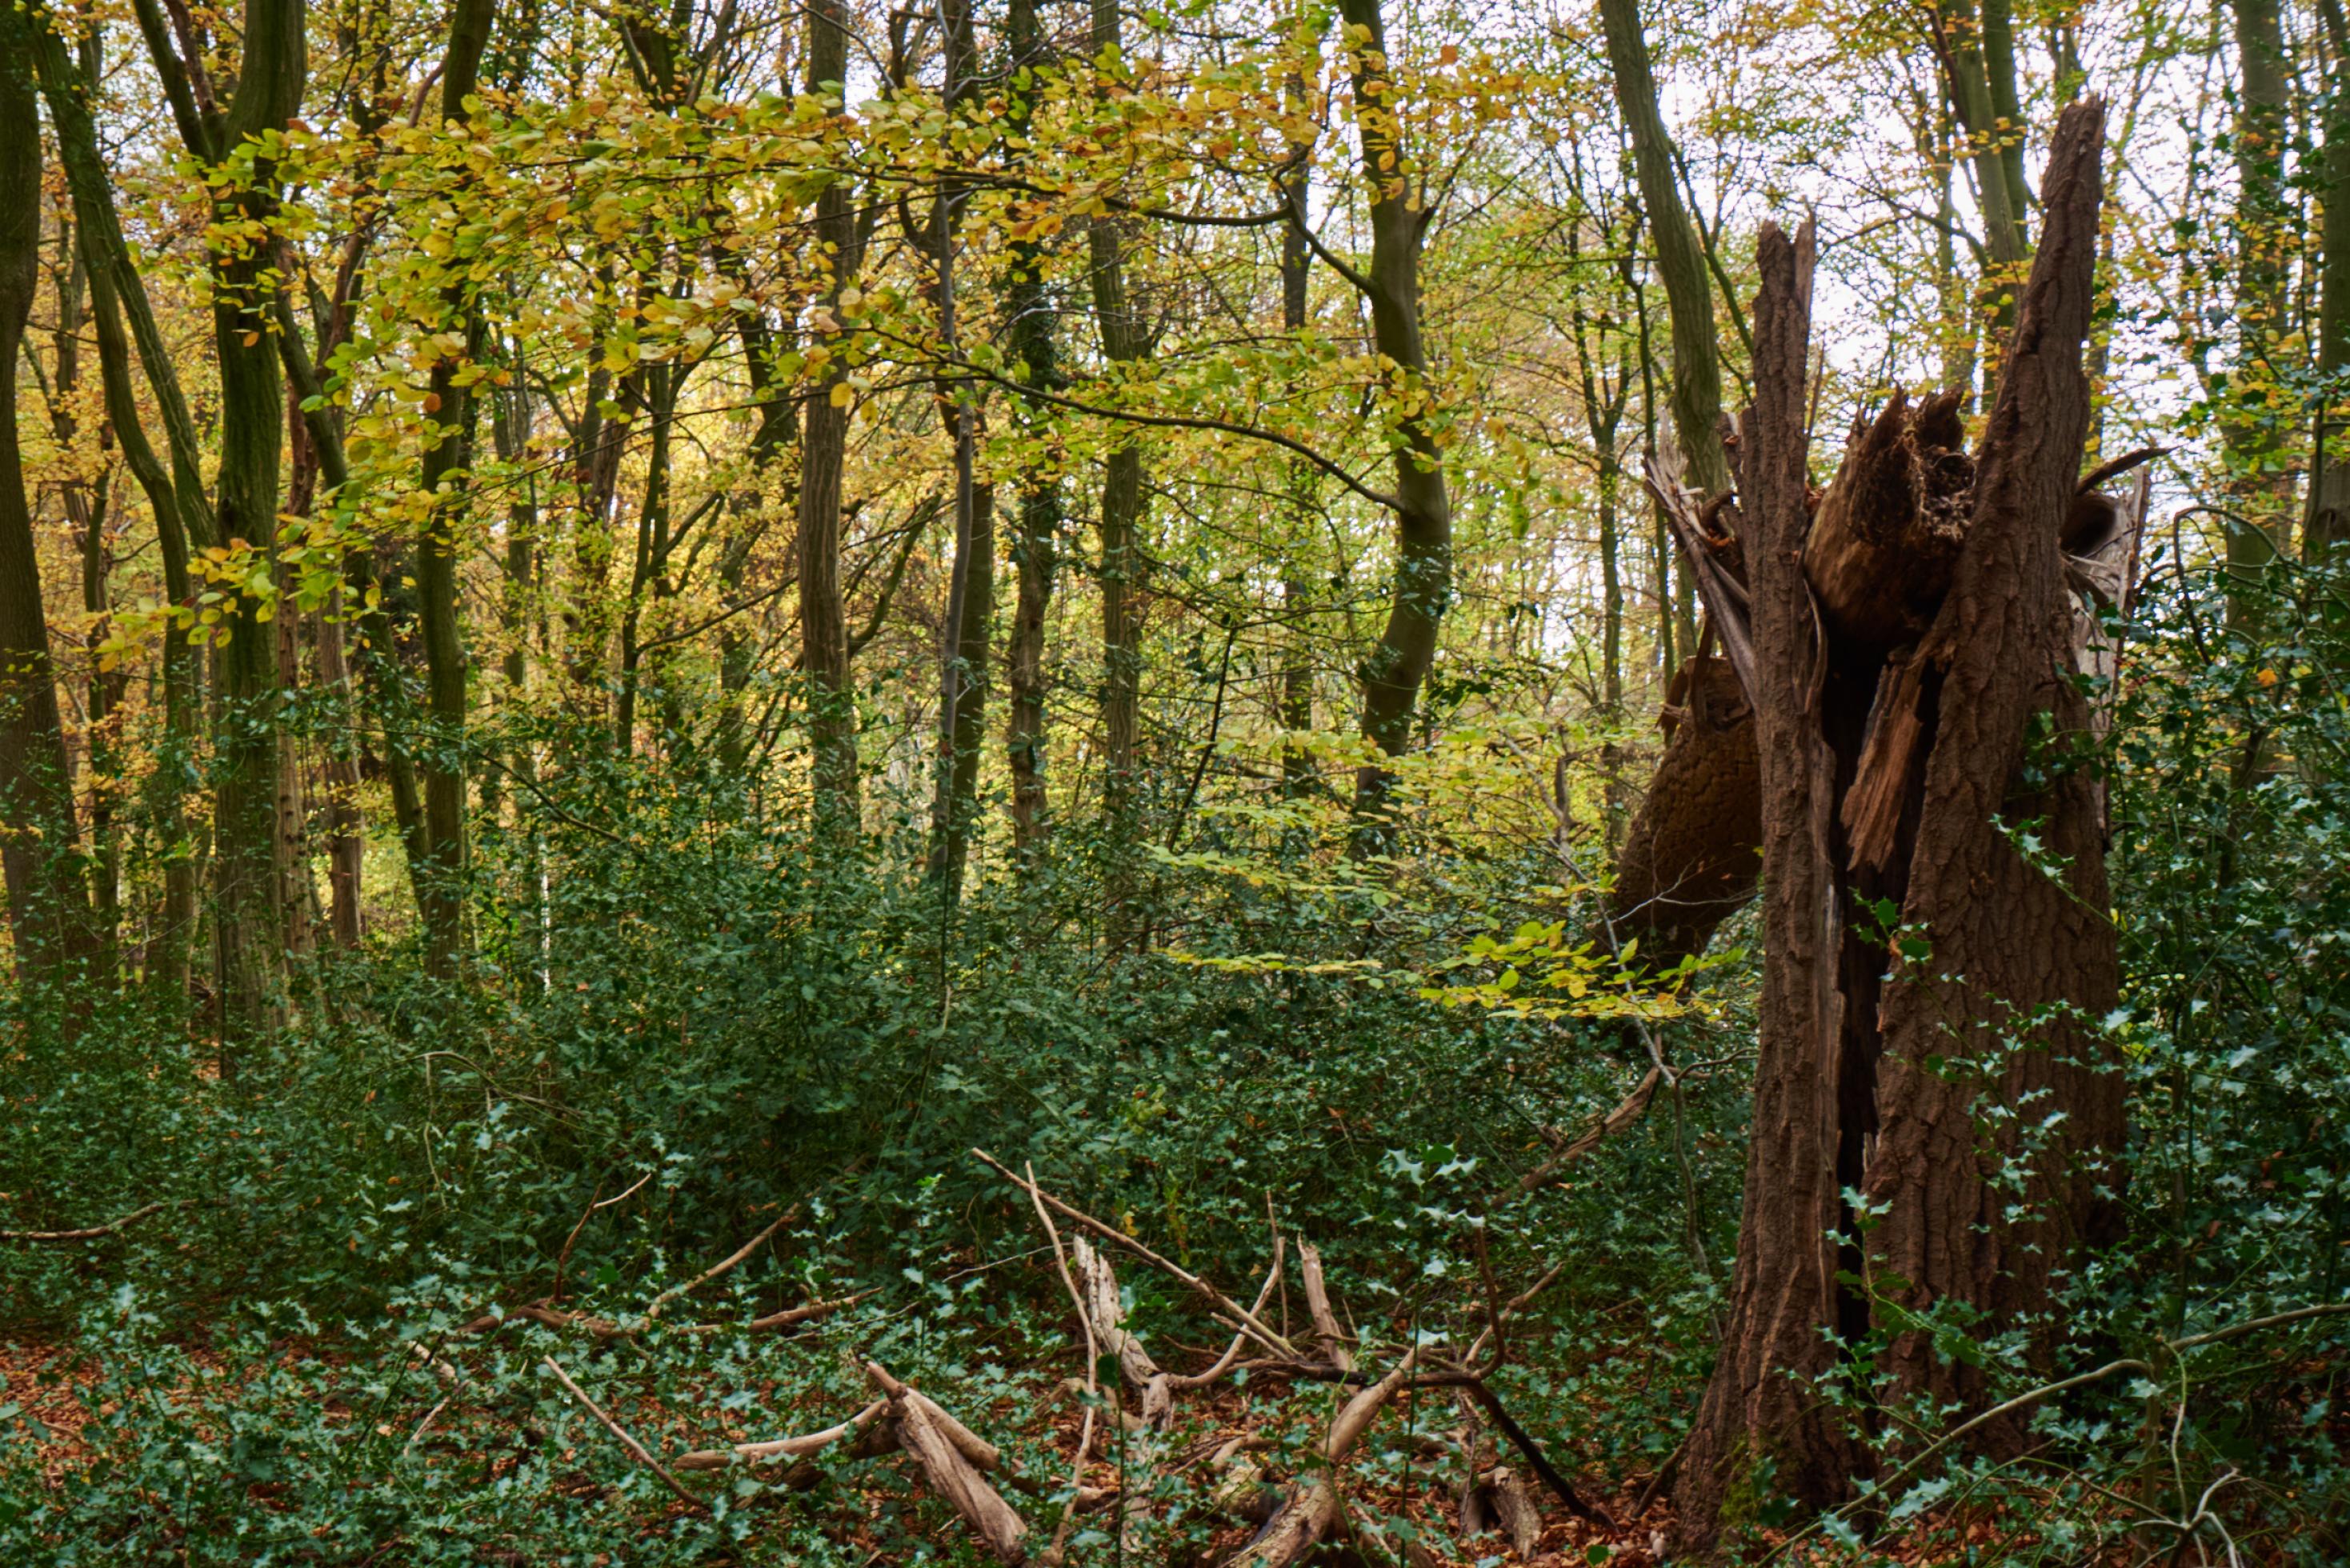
(1399, 664)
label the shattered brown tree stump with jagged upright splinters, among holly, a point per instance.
(1902, 645)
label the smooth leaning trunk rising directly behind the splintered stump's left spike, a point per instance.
(1681, 264)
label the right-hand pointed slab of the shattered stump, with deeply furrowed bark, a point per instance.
(2010, 937)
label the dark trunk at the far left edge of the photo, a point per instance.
(46, 892)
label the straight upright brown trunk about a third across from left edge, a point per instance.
(824, 445)
